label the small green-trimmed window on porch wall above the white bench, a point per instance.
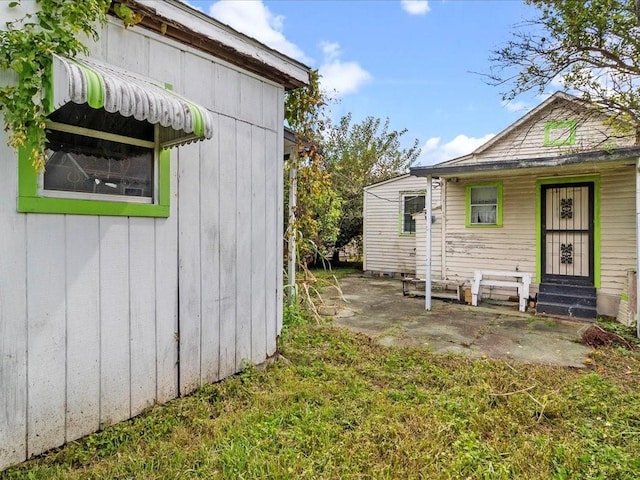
(484, 205)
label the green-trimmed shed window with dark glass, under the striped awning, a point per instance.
(97, 163)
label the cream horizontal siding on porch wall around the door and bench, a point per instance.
(513, 247)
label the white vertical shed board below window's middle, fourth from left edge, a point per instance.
(115, 374)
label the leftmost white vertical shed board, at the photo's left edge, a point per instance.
(13, 313)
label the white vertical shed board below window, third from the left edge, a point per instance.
(83, 325)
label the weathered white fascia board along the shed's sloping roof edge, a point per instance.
(188, 25)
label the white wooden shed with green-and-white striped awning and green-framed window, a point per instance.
(131, 277)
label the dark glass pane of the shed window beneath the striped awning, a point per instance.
(76, 163)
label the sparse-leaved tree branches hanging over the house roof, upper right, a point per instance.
(591, 47)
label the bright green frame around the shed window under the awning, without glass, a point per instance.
(33, 199)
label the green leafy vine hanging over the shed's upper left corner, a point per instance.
(26, 47)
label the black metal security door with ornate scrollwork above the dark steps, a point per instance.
(567, 233)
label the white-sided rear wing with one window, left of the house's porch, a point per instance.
(391, 216)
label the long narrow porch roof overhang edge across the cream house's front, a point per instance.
(585, 159)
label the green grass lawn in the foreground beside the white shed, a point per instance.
(345, 408)
